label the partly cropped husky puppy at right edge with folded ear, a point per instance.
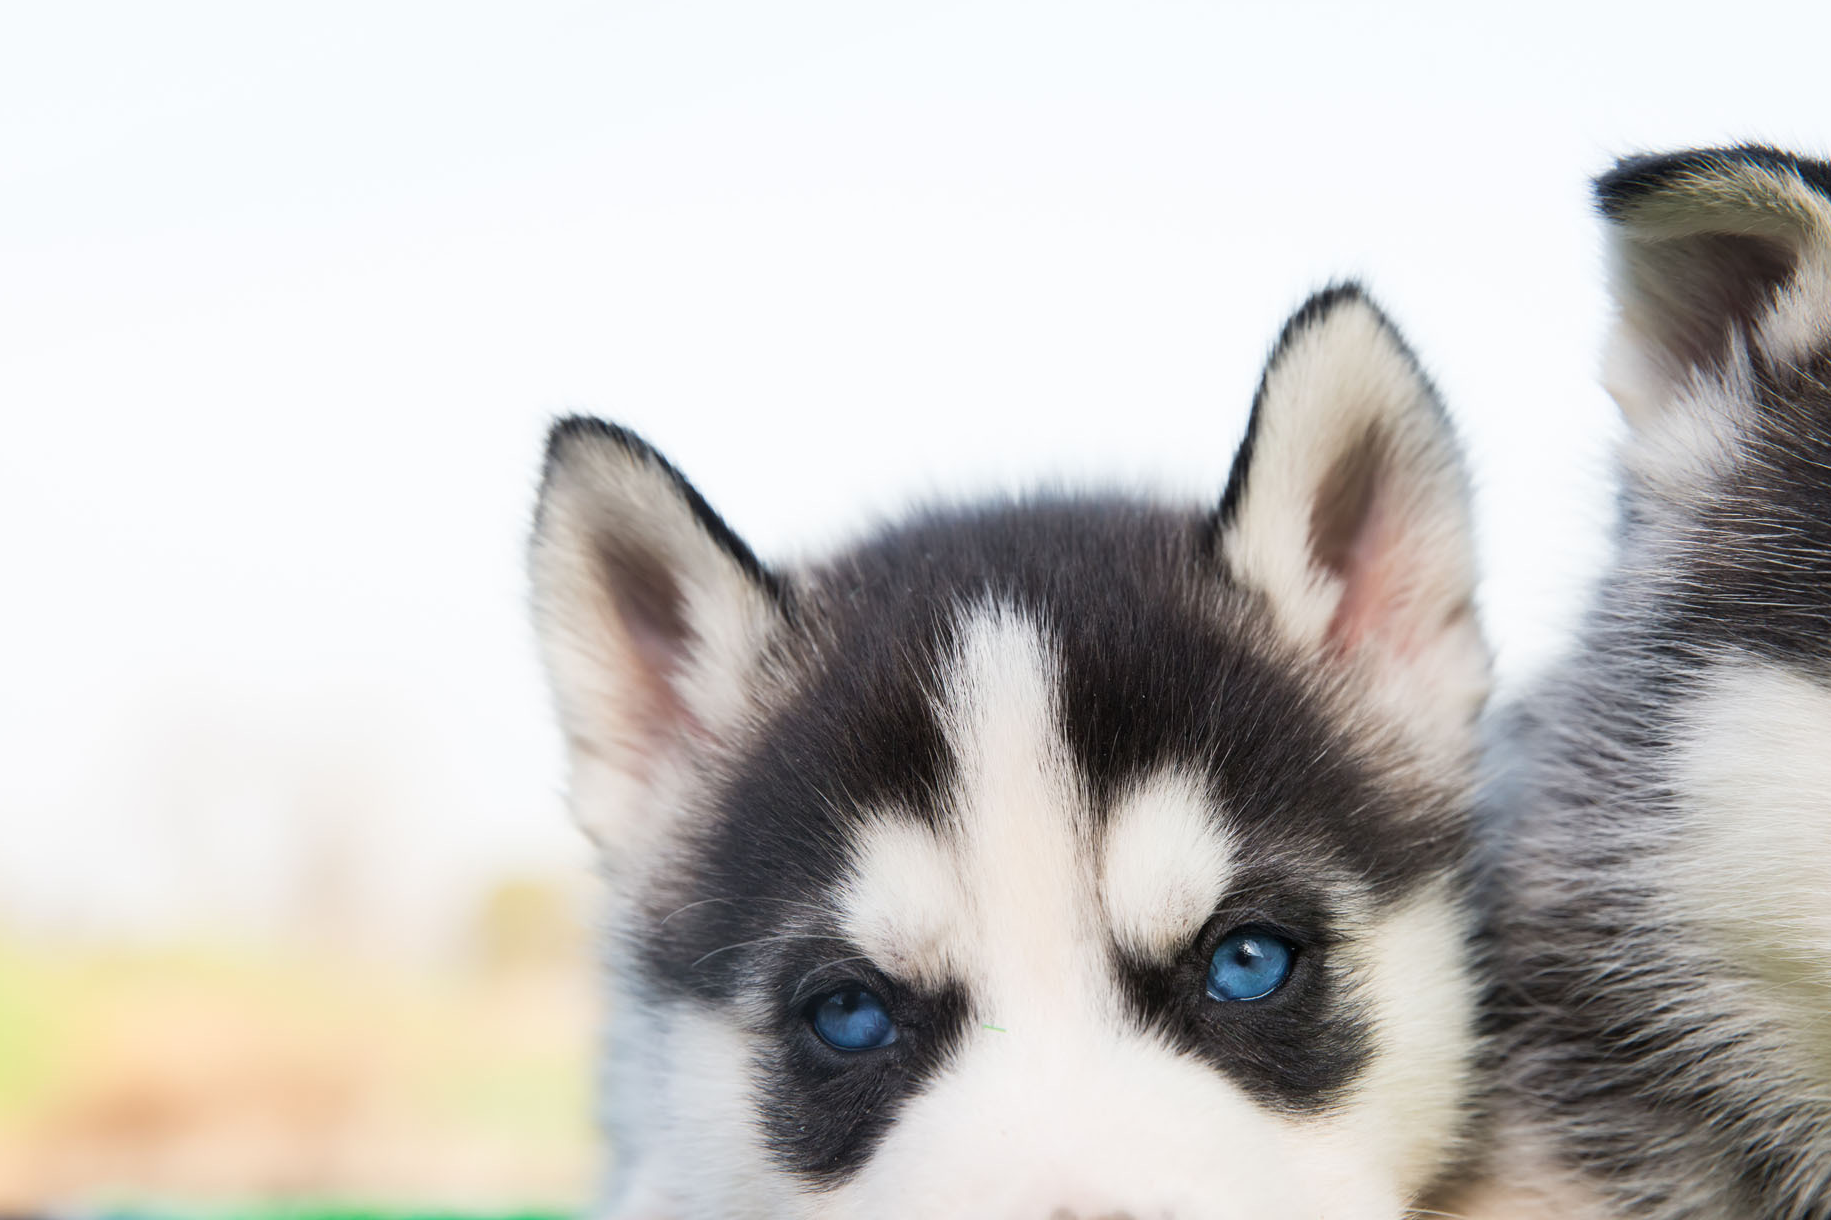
(1663, 919)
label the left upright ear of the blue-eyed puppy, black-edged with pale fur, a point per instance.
(655, 624)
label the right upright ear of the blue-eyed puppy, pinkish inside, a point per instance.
(1349, 510)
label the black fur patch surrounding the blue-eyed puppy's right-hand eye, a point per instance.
(1301, 1047)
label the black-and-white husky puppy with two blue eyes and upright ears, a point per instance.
(1048, 858)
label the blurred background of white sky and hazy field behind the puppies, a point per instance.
(288, 902)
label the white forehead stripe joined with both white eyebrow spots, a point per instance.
(1024, 856)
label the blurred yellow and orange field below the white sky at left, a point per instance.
(215, 1076)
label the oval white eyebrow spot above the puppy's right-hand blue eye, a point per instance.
(1165, 866)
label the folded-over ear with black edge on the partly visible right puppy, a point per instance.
(1717, 256)
